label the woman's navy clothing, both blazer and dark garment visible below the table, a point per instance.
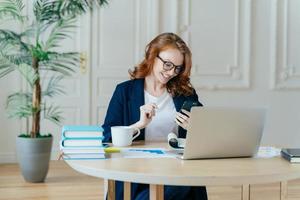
(124, 110)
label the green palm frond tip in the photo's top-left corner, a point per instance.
(12, 8)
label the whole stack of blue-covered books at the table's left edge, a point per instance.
(82, 142)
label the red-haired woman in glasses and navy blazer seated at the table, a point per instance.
(151, 102)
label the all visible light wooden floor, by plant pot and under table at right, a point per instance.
(63, 183)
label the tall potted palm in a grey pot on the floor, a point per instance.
(32, 52)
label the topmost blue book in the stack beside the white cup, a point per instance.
(82, 132)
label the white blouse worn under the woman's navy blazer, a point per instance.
(164, 120)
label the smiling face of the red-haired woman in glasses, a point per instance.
(170, 55)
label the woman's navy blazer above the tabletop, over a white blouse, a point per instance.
(124, 107)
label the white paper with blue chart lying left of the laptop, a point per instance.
(146, 153)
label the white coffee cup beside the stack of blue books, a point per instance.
(123, 136)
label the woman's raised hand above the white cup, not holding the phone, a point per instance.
(147, 112)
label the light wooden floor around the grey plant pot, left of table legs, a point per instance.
(62, 183)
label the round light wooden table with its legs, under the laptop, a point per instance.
(172, 171)
